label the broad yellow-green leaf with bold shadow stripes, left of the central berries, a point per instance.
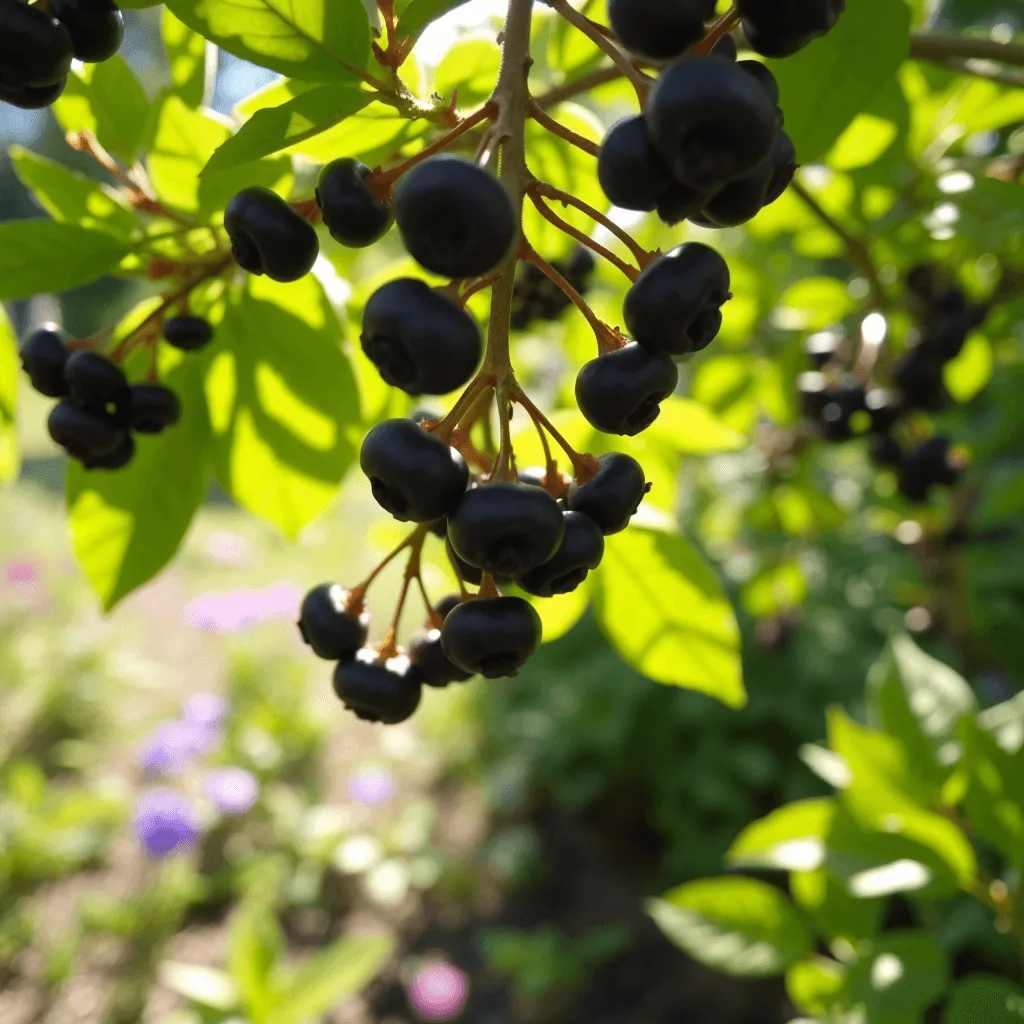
(283, 402)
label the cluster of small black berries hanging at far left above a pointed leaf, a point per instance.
(99, 411)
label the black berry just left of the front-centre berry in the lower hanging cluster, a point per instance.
(413, 475)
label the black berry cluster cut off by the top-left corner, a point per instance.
(39, 42)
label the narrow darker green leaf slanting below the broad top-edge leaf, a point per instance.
(276, 129)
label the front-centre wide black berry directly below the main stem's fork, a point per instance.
(506, 529)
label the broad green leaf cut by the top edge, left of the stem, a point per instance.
(316, 40)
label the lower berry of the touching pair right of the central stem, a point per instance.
(622, 393)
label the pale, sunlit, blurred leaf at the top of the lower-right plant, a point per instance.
(918, 699)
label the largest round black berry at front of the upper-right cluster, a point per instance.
(712, 121)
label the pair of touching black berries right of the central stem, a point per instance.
(674, 309)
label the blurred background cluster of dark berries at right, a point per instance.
(842, 408)
